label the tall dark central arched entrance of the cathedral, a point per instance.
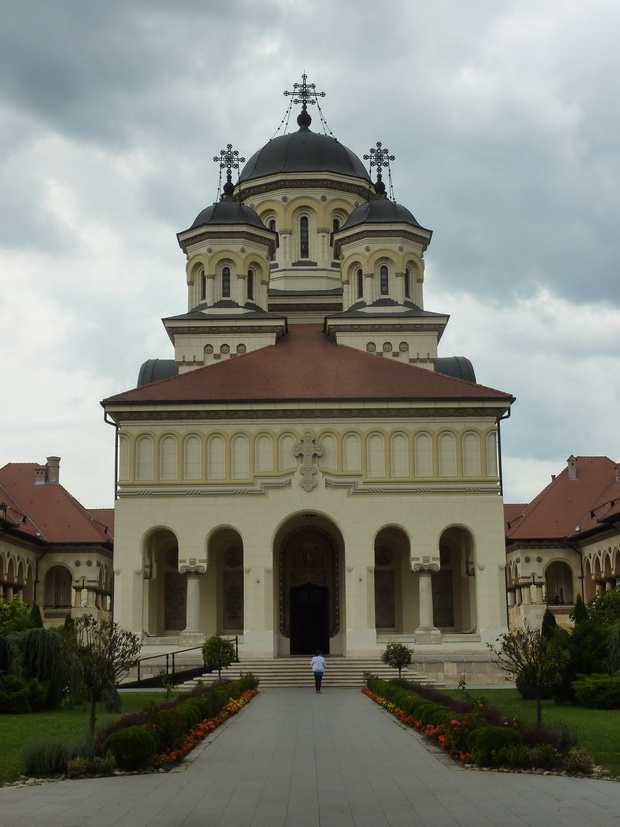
(309, 590)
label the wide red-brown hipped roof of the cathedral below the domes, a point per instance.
(307, 365)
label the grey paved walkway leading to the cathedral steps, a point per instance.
(294, 758)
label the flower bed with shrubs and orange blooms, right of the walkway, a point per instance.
(477, 735)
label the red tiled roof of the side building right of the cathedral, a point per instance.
(568, 507)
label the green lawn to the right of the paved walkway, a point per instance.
(596, 730)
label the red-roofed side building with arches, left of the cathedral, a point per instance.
(53, 551)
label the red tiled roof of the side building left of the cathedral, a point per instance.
(47, 510)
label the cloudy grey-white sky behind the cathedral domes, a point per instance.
(504, 118)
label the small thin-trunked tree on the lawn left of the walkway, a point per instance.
(98, 653)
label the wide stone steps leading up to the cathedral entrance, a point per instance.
(296, 672)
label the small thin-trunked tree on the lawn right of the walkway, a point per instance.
(538, 660)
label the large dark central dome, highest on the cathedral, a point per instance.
(303, 151)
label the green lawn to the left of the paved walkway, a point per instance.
(66, 724)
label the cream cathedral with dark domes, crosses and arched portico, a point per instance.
(307, 472)
